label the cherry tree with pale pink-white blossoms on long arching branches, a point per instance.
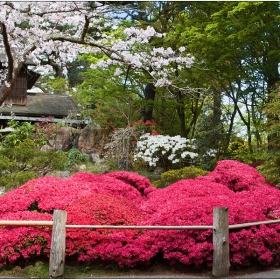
(59, 31)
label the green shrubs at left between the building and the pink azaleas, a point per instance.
(23, 159)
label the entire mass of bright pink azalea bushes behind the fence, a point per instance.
(125, 198)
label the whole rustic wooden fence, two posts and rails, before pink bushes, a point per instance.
(220, 227)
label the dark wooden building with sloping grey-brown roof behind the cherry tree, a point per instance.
(29, 106)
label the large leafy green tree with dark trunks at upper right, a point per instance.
(237, 45)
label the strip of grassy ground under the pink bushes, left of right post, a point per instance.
(39, 269)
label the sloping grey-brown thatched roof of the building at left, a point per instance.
(42, 105)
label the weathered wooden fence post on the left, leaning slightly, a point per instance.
(57, 254)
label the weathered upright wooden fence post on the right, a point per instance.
(221, 263)
